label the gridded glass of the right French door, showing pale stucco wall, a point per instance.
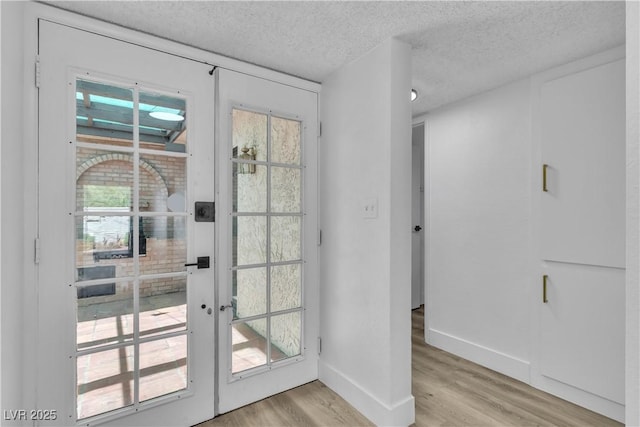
(266, 285)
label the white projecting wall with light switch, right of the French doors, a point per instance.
(366, 262)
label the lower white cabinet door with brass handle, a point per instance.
(582, 328)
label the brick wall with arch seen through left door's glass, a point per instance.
(165, 235)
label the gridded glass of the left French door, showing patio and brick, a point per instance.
(130, 224)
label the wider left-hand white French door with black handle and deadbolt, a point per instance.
(125, 329)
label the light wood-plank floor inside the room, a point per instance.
(449, 391)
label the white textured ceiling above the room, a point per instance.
(460, 48)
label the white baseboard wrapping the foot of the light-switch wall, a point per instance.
(400, 413)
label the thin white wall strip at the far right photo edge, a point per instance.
(632, 373)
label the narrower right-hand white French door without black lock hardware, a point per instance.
(267, 253)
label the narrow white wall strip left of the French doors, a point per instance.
(12, 243)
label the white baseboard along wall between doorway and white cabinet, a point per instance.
(484, 356)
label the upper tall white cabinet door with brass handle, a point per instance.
(582, 126)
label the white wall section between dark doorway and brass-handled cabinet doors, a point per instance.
(479, 155)
